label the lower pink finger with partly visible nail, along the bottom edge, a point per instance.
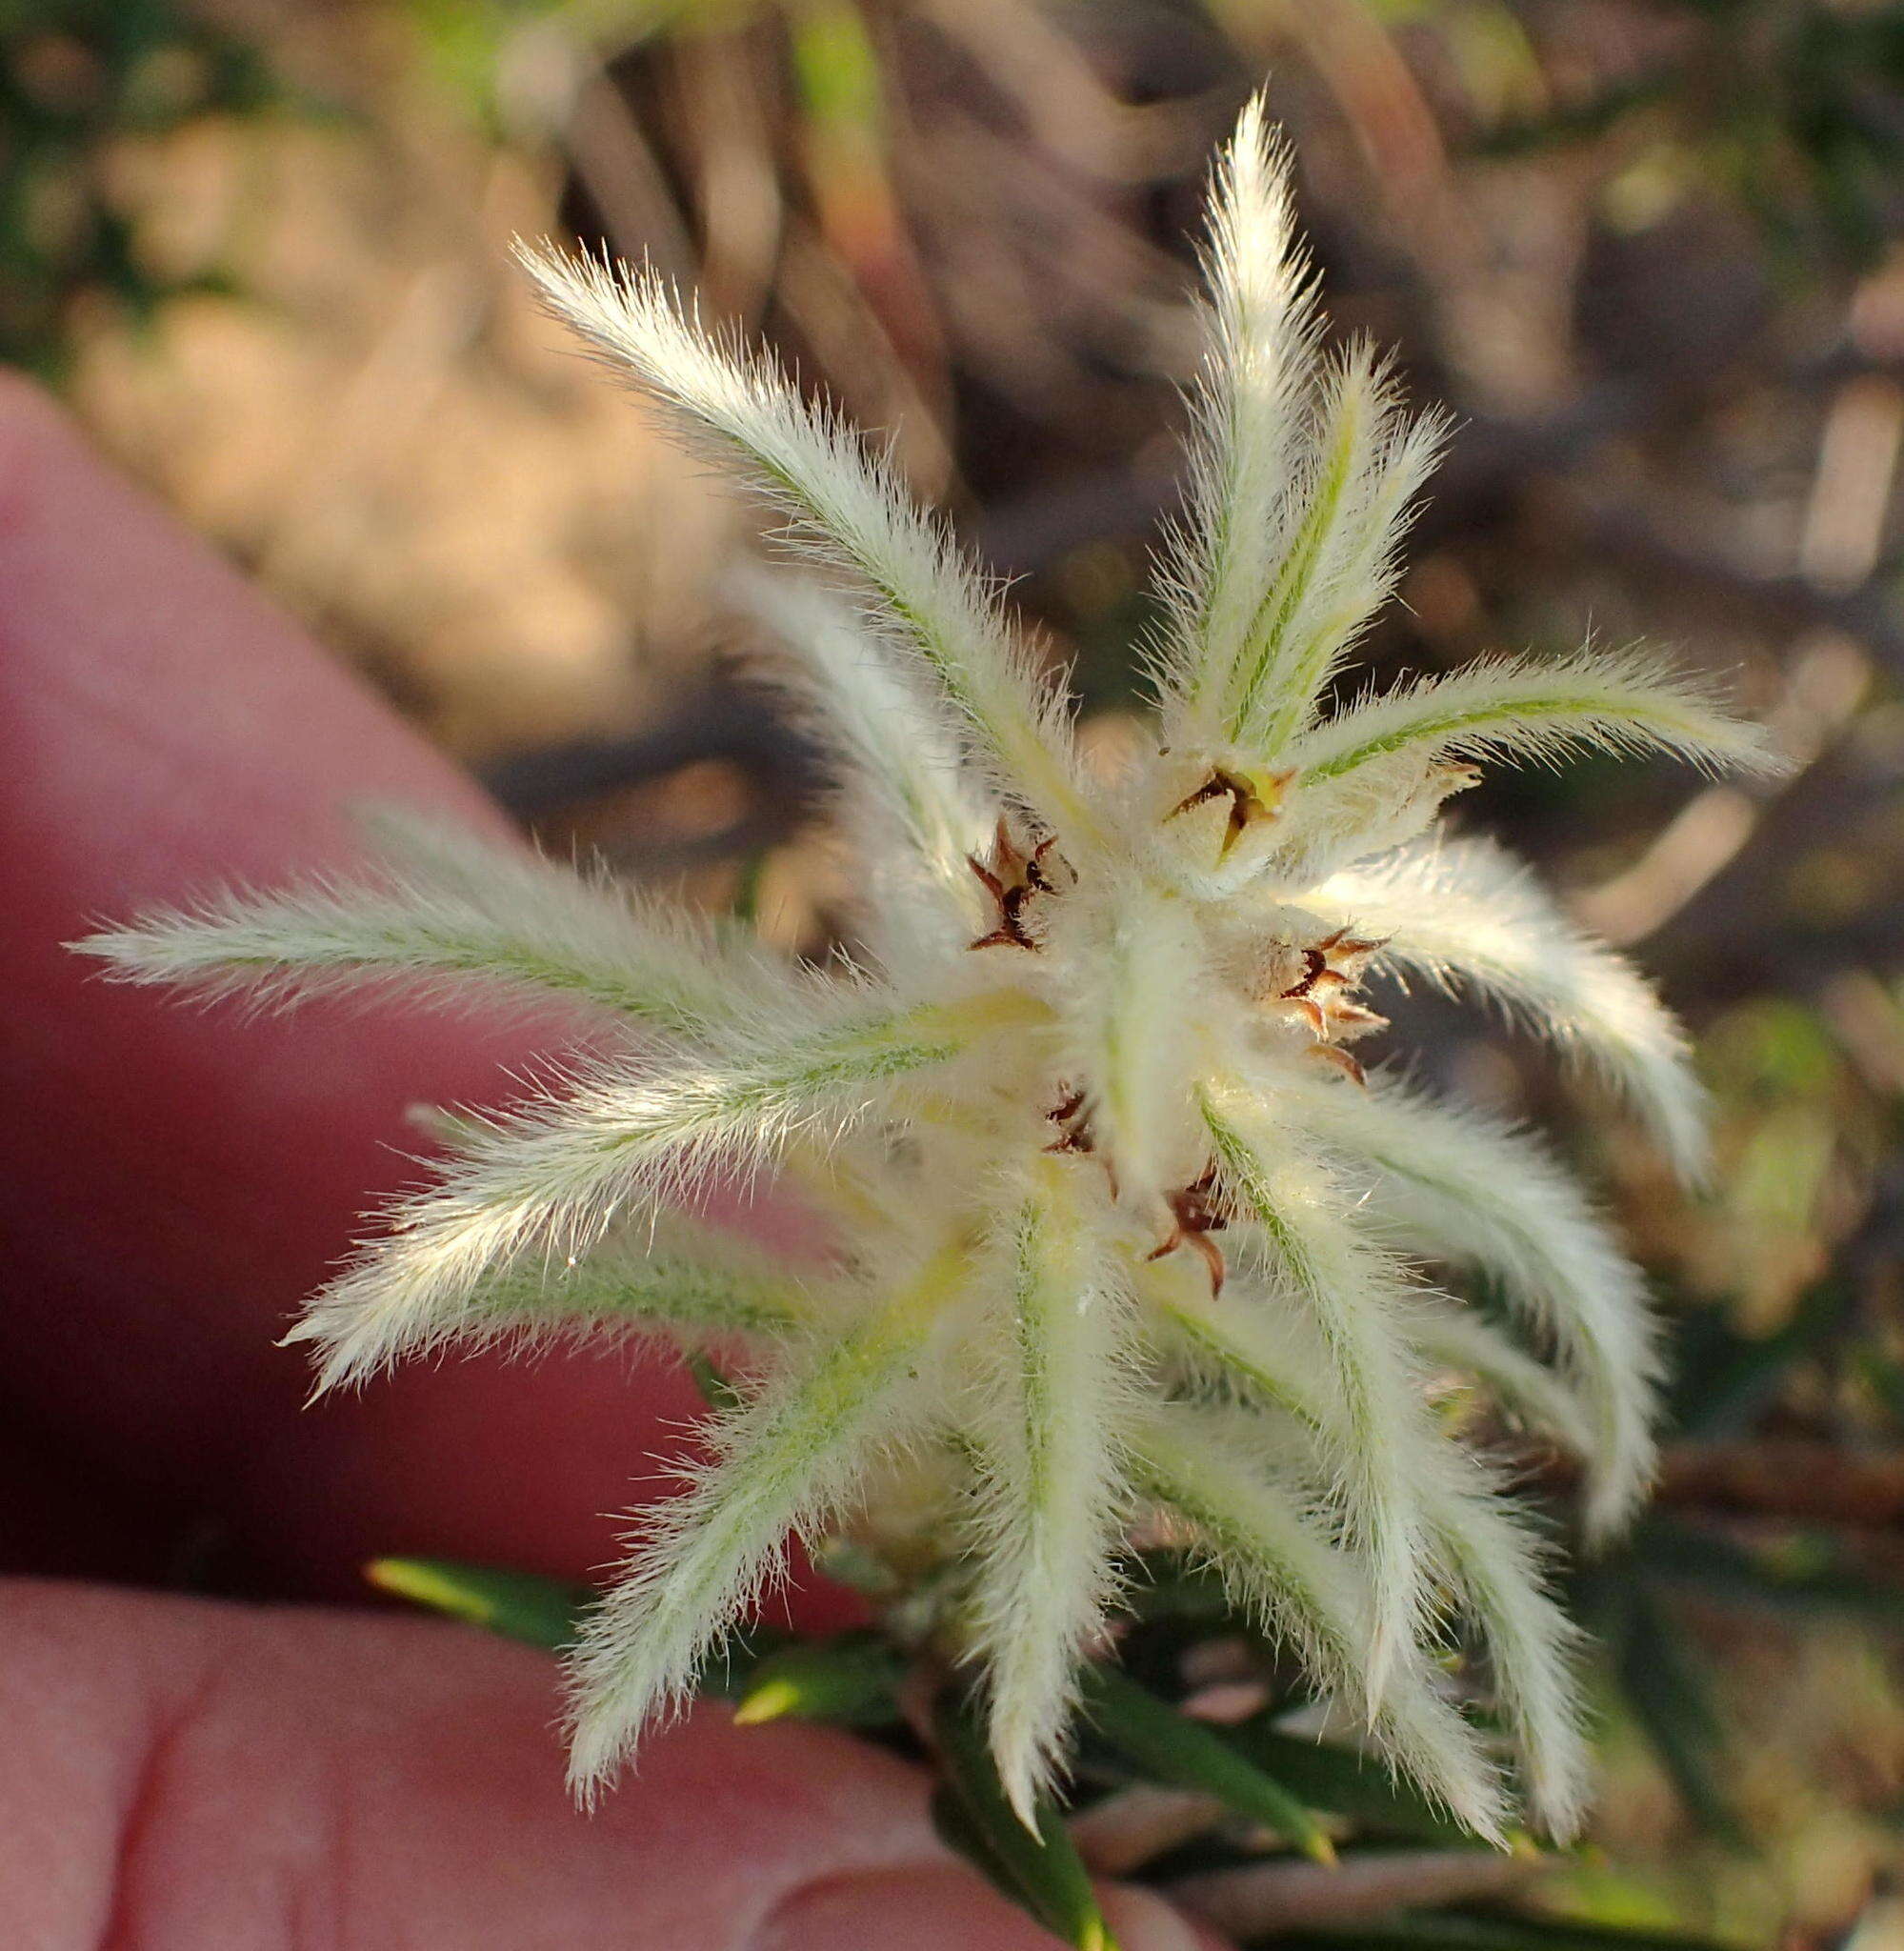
(208, 1778)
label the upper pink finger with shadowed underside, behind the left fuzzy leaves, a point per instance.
(182, 1177)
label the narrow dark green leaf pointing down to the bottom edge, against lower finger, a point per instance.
(1045, 1872)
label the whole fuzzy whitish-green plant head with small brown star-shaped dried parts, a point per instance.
(1123, 1230)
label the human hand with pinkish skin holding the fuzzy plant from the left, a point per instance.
(221, 1778)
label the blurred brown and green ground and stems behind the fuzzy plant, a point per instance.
(1649, 251)
